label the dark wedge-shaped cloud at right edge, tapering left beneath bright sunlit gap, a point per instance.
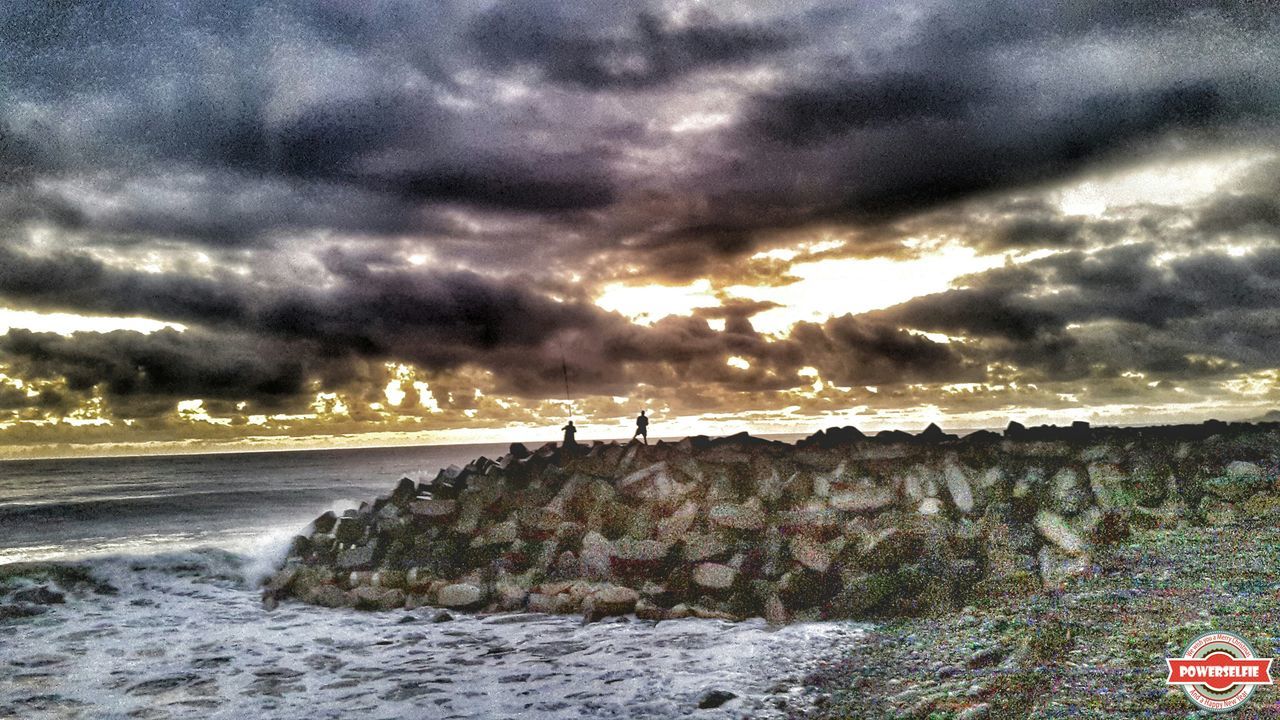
(1124, 308)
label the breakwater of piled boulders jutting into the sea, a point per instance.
(835, 526)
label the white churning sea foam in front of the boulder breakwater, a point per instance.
(186, 637)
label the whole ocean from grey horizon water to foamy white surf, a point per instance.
(172, 626)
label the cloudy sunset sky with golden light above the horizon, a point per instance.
(290, 224)
